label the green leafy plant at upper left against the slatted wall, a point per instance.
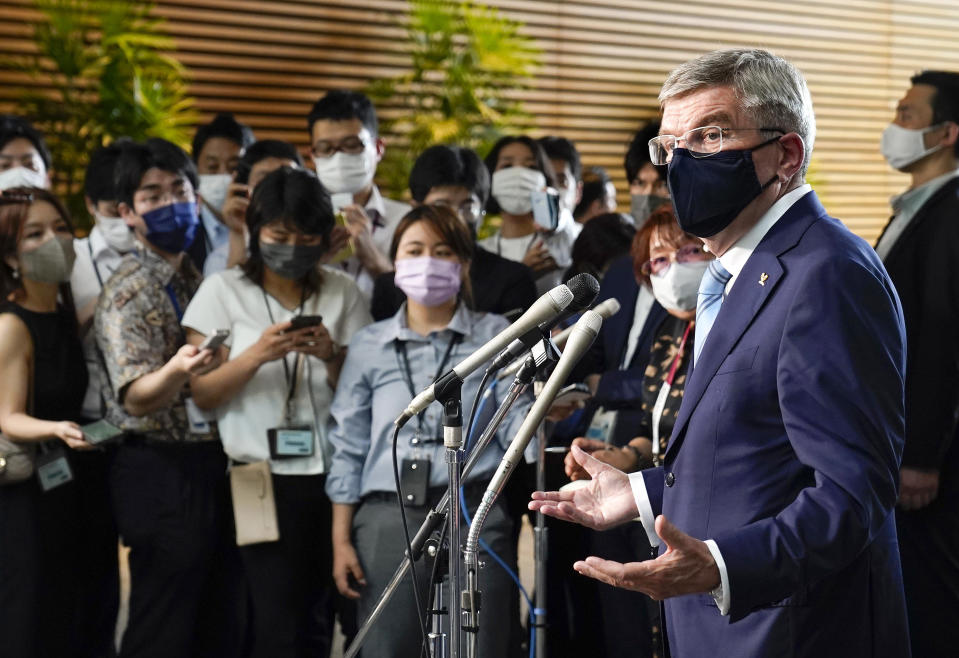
(103, 70)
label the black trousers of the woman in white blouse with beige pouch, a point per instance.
(290, 580)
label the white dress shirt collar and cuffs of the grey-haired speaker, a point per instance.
(734, 260)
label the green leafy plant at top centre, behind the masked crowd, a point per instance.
(465, 61)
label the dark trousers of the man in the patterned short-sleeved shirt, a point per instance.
(172, 509)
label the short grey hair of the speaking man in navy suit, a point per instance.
(772, 92)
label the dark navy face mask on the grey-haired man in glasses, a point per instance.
(709, 193)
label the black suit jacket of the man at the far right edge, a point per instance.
(924, 266)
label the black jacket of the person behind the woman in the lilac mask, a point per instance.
(499, 286)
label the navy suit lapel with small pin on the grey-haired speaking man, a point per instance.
(756, 282)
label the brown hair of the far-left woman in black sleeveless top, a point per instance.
(14, 208)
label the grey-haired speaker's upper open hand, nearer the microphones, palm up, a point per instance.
(605, 502)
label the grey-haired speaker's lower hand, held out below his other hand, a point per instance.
(687, 567)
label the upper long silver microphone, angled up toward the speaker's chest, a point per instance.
(548, 306)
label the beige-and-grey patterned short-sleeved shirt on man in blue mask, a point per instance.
(137, 325)
